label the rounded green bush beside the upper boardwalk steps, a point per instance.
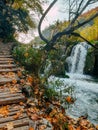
(28, 57)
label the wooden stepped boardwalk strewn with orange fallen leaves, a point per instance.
(12, 111)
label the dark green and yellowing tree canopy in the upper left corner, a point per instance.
(14, 15)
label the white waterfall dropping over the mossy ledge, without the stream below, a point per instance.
(76, 61)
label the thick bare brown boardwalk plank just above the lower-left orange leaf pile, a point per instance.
(12, 100)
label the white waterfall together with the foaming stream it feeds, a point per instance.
(85, 88)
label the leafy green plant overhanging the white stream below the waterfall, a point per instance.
(58, 90)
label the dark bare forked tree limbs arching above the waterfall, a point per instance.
(81, 6)
